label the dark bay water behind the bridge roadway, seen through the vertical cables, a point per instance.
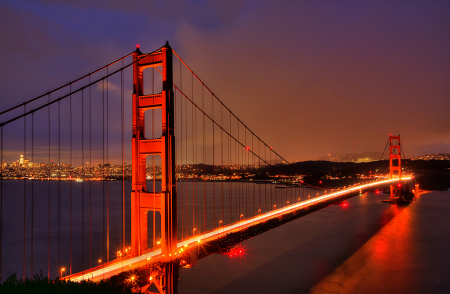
(33, 199)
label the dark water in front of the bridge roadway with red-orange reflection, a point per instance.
(370, 247)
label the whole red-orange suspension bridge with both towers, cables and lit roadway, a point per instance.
(201, 180)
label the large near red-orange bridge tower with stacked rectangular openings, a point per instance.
(143, 201)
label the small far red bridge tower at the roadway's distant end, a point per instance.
(395, 167)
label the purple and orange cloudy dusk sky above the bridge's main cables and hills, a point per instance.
(310, 78)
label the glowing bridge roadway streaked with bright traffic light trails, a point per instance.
(115, 267)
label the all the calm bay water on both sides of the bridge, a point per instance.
(366, 247)
